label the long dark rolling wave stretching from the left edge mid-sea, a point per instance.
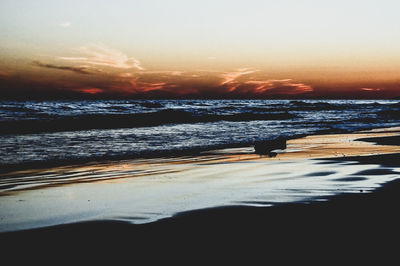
(110, 121)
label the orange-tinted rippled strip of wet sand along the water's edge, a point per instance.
(319, 146)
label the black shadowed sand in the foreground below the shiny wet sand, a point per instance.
(356, 226)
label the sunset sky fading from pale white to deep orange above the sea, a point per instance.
(200, 49)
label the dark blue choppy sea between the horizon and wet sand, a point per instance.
(52, 132)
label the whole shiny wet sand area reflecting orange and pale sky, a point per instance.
(145, 190)
